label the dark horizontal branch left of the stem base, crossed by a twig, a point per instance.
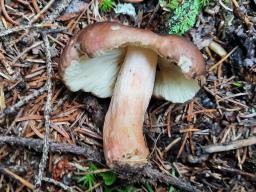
(37, 145)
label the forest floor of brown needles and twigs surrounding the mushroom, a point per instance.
(205, 144)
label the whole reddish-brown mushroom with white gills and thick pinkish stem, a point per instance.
(131, 65)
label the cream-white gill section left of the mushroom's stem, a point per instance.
(96, 75)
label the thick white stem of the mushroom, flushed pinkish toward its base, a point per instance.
(123, 138)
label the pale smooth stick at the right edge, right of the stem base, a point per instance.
(230, 146)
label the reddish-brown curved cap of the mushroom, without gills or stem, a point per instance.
(97, 39)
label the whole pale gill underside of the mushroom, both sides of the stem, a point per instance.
(98, 75)
